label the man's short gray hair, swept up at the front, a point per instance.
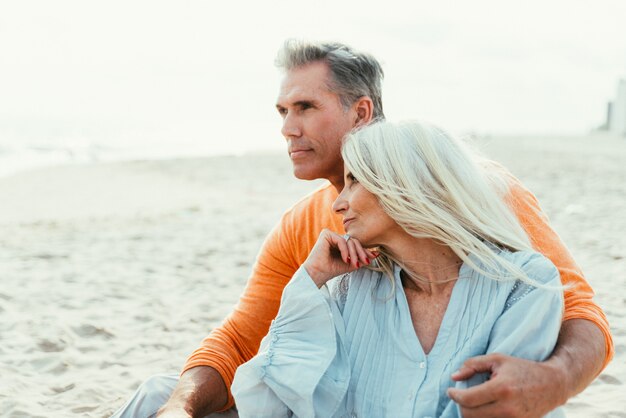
(354, 74)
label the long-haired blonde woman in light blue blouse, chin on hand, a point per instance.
(434, 269)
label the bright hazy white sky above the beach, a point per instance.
(200, 74)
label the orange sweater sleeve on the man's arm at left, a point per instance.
(238, 338)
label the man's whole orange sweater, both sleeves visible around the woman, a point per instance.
(237, 340)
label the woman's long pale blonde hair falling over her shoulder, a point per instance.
(435, 186)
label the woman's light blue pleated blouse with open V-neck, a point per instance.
(350, 350)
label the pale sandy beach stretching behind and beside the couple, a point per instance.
(114, 272)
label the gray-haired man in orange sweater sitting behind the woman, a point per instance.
(327, 90)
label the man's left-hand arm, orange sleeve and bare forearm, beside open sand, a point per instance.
(204, 385)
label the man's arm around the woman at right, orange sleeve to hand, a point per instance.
(522, 388)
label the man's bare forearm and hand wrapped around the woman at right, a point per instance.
(523, 388)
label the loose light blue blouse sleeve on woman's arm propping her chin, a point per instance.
(301, 367)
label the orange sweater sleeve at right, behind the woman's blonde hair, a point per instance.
(578, 294)
